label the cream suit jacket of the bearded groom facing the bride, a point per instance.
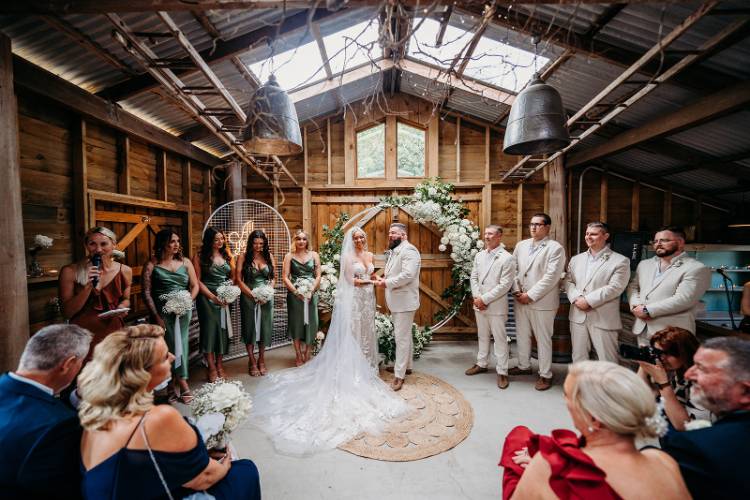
(402, 278)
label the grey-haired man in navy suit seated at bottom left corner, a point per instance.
(40, 436)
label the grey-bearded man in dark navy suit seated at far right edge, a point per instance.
(713, 460)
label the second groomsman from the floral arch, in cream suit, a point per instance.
(541, 262)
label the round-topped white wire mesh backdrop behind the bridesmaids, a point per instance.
(237, 219)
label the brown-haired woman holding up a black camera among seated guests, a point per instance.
(674, 349)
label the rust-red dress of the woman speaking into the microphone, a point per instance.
(98, 302)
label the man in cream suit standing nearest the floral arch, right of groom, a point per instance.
(491, 278)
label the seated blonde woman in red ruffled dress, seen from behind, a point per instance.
(610, 406)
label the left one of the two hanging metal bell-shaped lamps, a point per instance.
(272, 127)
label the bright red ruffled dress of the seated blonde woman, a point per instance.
(573, 474)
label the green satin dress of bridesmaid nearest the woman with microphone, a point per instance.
(165, 281)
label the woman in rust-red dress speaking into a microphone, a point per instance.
(83, 301)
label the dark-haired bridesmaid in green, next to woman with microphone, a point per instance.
(167, 272)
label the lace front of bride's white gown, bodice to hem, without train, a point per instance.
(363, 316)
